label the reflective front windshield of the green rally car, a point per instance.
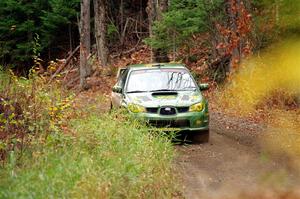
(167, 79)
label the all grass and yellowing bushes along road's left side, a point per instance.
(57, 151)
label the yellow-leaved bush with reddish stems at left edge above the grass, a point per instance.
(29, 107)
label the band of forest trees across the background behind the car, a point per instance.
(227, 30)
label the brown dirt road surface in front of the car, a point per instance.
(227, 167)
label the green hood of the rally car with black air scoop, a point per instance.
(159, 99)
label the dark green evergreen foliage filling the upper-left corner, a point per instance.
(20, 21)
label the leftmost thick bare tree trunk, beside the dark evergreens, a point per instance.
(85, 43)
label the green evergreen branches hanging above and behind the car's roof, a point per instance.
(183, 20)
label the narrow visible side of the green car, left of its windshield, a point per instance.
(117, 93)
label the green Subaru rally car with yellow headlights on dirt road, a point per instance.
(166, 96)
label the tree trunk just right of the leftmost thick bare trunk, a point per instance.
(101, 30)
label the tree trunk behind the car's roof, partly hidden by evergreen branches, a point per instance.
(155, 9)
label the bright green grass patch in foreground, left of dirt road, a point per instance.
(102, 158)
